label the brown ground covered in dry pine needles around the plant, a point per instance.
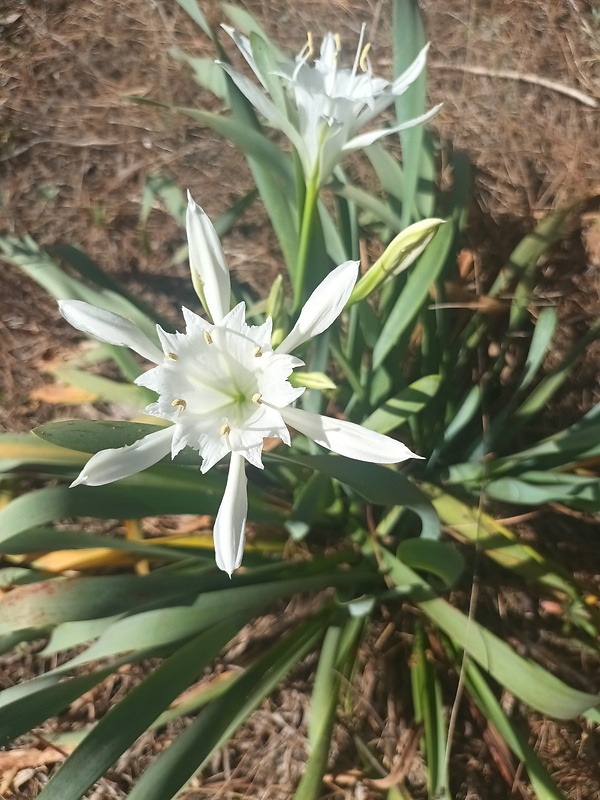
(74, 155)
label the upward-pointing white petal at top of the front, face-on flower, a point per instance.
(208, 260)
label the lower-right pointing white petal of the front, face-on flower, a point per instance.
(346, 438)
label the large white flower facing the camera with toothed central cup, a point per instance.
(224, 388)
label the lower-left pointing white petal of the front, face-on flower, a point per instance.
(121, 462)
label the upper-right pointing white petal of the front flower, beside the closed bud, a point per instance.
(323, 307)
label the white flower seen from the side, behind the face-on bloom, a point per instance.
(332, 103)
